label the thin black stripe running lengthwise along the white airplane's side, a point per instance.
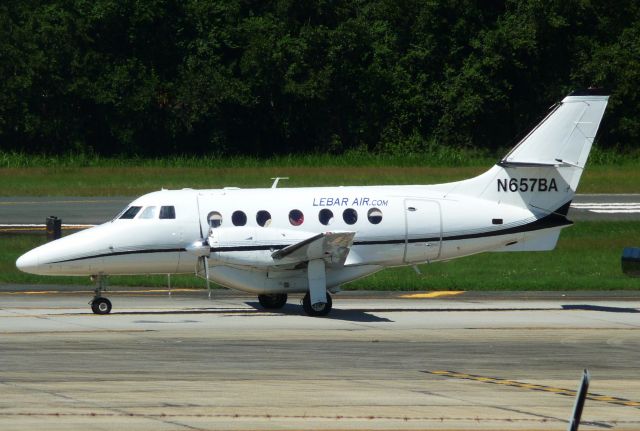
(550, 221)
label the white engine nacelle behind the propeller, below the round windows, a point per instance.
(251, 246)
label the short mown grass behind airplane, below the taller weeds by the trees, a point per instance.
(135, 181)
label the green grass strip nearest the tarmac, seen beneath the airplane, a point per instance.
(587, 258)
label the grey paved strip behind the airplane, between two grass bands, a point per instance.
(96, 210)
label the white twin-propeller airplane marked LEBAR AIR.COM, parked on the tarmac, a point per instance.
(277, 241)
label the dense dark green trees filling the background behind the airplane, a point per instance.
(154, 77)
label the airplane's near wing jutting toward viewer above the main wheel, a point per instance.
(333, 247)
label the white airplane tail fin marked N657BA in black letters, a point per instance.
(543, 170)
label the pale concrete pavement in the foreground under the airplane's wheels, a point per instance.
(460, 361)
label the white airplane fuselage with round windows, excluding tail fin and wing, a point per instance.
(393, 225)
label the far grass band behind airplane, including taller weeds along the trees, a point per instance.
(609, 171)
